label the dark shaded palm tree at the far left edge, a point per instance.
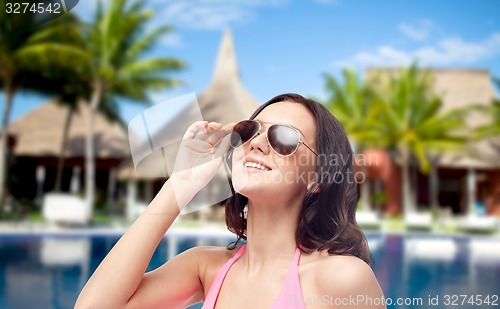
(27, 59)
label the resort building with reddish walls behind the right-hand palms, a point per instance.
(466, 182)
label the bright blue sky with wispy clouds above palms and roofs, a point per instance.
(285, 46)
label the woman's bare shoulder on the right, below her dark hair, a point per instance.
(344, 277)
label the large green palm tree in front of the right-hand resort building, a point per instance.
(413, 126)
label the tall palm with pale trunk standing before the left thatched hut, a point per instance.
(116, 45)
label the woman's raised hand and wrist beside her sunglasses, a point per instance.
(200, 155)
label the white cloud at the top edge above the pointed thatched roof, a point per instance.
(211, 14)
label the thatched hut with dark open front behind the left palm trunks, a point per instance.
(38, 137)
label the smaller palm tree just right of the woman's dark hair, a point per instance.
(352, 103)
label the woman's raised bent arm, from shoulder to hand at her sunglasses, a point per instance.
(119, 281)
